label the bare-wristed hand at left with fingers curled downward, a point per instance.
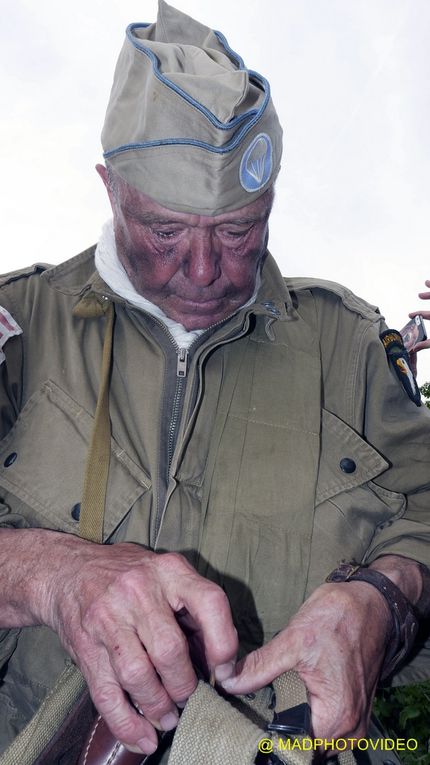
(116, 610)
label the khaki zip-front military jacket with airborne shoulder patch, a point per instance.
(237, 465)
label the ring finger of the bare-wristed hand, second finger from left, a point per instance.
(136, 675)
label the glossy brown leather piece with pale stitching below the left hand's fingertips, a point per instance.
(101, 748)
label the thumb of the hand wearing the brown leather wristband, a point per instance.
(260, 667)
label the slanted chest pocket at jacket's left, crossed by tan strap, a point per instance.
(43, 462)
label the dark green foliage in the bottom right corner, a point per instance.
(405, 713)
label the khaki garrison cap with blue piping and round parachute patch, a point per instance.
(187, 123)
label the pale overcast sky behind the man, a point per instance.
(350, 79)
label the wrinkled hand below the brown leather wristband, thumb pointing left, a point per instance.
(336, 642)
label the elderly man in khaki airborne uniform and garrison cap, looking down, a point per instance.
(236, 436)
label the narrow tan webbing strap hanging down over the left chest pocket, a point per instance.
(97, 467)
